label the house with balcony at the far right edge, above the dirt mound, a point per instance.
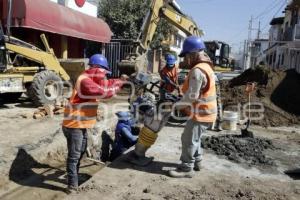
(284, 39)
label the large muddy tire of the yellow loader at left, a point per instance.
(46, 87)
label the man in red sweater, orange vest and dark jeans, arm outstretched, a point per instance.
(80, 113)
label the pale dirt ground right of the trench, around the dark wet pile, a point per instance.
(219, 178)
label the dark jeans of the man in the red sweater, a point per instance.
(77, 144)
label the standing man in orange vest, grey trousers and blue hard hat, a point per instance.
(199, 97)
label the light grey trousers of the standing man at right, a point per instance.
(191, 143)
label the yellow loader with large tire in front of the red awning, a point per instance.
(26, 68)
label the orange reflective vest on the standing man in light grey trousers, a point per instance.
(204, 109)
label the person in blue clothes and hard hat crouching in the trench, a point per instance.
(126, 134)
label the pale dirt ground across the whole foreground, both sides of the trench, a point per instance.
(32, 166)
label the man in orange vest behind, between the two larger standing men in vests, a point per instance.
(169, 76)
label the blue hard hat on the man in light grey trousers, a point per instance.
(192, 44)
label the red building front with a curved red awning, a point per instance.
(68, 24)
